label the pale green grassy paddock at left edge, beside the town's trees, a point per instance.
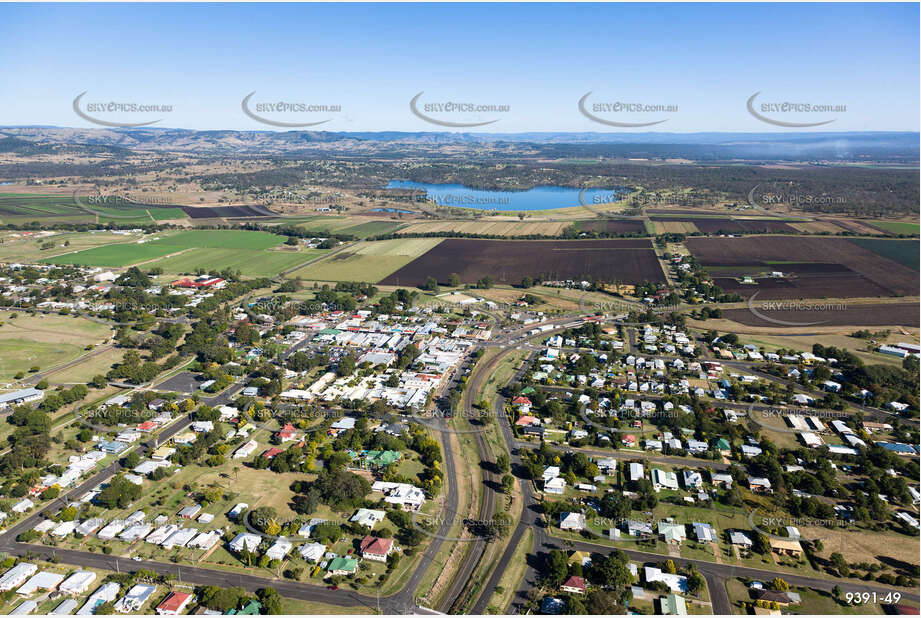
(44, 340)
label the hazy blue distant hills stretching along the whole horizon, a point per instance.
(900, 147)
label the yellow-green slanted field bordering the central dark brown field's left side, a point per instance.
(368, 261)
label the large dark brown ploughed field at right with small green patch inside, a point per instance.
(812, 267)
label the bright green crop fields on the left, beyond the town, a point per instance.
(253, 253)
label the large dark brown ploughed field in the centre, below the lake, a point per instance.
(509, 261)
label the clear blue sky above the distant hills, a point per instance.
(538, 59)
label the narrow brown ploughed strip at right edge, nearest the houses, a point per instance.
(831, 314)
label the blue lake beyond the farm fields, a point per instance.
(538, 198)
